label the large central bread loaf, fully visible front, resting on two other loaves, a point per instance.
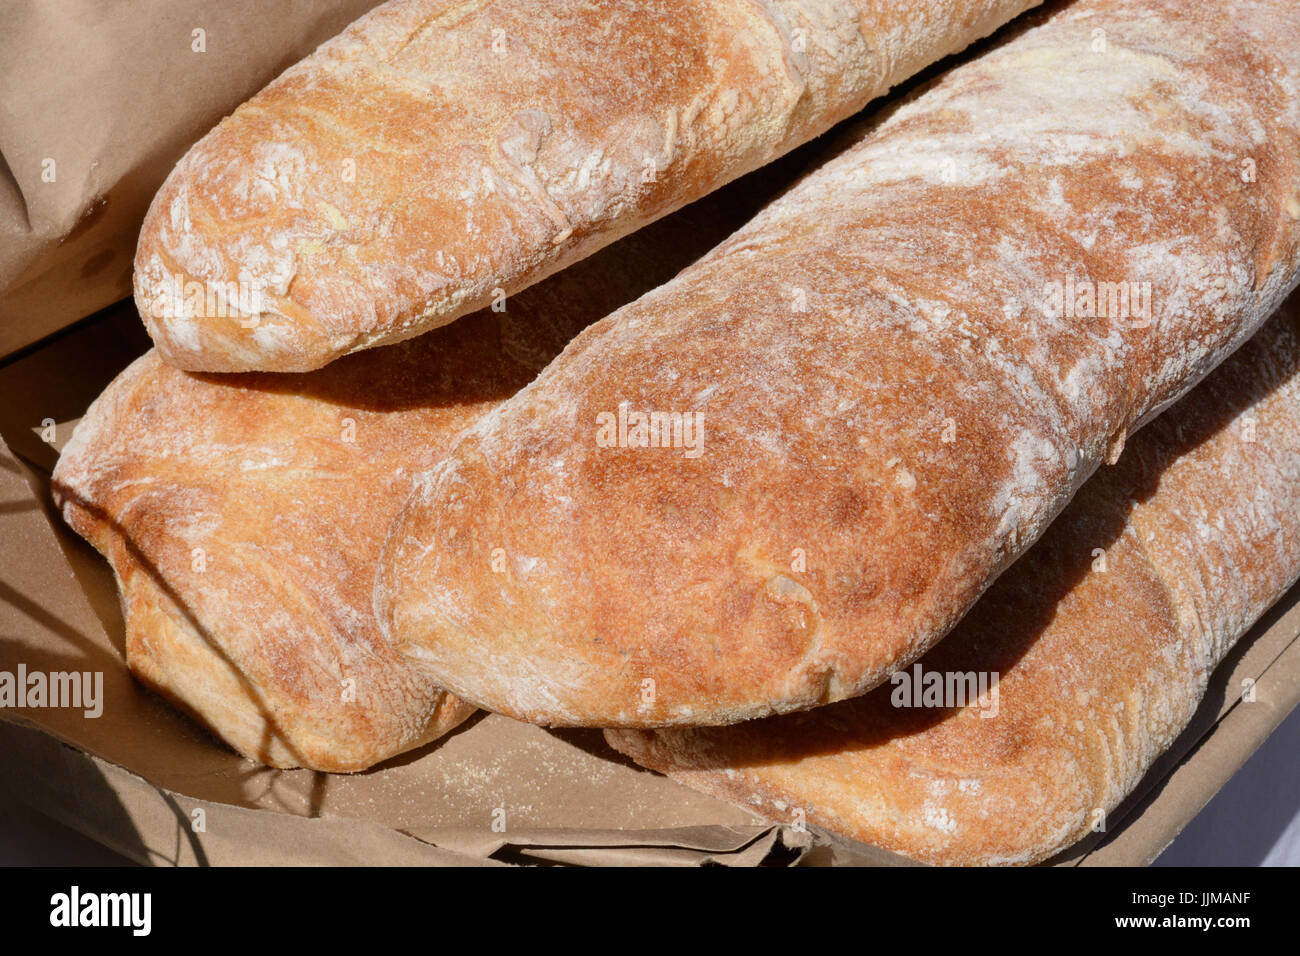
(772, 482)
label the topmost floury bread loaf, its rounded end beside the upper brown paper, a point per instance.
(439, 152)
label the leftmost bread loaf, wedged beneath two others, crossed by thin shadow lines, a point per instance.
(245, 514)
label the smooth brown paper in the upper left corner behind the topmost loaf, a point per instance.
(101, 98)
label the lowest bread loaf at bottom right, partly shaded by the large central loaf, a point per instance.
(1097, 648)
